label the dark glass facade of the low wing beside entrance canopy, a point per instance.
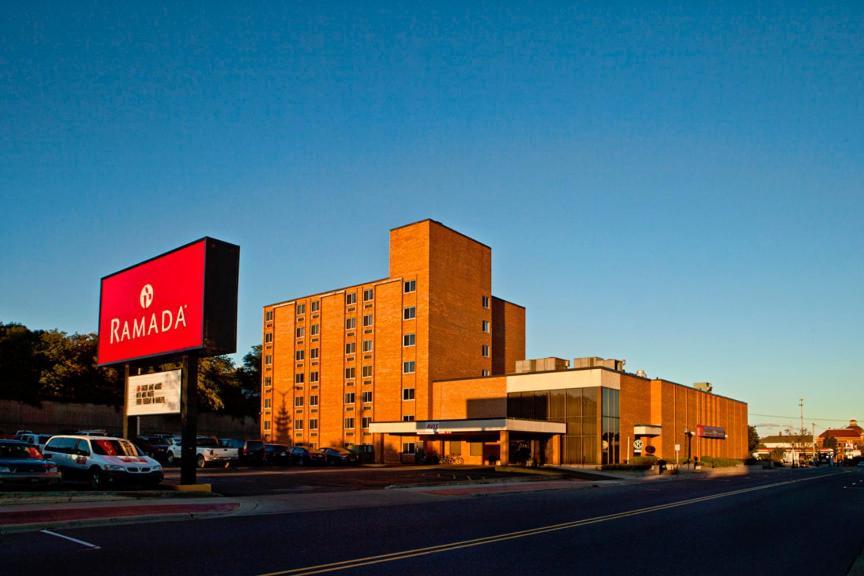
(591, 415)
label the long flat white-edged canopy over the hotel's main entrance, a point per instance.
(432, 427)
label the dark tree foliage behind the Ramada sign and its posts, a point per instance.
(52, 365)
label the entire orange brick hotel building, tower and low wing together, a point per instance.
(427, 358)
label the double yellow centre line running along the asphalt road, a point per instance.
(470, 543)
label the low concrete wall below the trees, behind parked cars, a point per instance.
(54, 417)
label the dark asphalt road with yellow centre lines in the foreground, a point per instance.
(780, 522)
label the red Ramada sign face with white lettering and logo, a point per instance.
(154, 308)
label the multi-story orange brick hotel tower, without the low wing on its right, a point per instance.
(336, 361)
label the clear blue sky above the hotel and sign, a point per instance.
(678, 185)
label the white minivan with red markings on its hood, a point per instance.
(102, 460)
